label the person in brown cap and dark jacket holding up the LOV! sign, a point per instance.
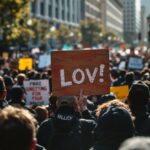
(65, 130)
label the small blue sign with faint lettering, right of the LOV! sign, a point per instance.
(135, 63)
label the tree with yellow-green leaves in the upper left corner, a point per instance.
(13, 21)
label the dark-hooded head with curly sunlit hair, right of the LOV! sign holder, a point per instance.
(114, 123)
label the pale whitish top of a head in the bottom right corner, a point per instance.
(136, 143)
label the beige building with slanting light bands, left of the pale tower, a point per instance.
(112, 15)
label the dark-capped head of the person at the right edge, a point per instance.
(138, 94)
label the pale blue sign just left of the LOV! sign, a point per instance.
(44, 61)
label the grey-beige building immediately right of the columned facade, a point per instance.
(90, 9)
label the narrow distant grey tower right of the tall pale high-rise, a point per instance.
(144, 29)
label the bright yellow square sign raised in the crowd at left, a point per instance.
(25, 63)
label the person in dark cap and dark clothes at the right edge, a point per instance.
(138, 100)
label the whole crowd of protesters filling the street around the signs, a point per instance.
(93, 122)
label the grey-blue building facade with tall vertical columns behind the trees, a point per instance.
(62, 11)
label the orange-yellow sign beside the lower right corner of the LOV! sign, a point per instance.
(121, 92)
